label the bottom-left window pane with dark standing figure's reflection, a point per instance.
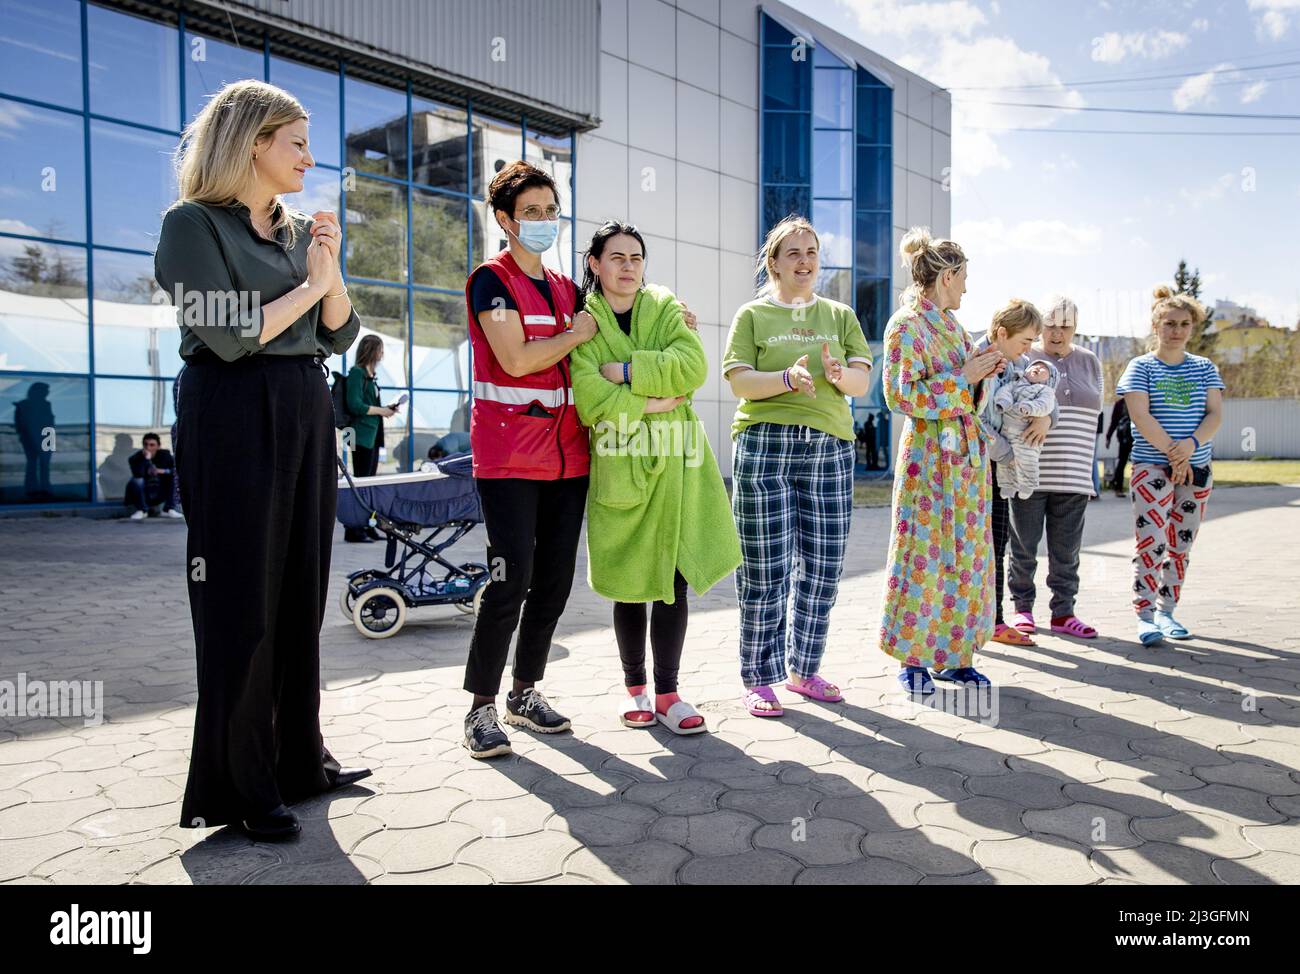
(45, 440)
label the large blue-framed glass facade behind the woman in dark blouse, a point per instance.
(92, 106)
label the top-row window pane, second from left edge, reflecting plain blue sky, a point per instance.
(133, 70)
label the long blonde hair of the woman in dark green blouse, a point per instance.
(214, 161)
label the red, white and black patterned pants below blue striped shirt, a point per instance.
(1165, 522)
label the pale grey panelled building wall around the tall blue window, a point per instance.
(677, 154)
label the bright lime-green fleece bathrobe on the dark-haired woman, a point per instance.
(657, 503)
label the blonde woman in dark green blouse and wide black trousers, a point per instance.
(255, 451)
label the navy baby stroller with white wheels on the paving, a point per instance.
(441, 497)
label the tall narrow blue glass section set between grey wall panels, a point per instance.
(827, 127)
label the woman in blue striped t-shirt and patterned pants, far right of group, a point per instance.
(1176, 402)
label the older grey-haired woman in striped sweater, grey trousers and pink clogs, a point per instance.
(1065, 483)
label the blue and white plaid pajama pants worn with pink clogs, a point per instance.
(794, 503)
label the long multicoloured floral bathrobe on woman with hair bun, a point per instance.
(939, 586)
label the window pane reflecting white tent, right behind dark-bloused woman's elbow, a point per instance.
(136, 332)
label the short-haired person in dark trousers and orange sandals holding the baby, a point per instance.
(1013, 332)
